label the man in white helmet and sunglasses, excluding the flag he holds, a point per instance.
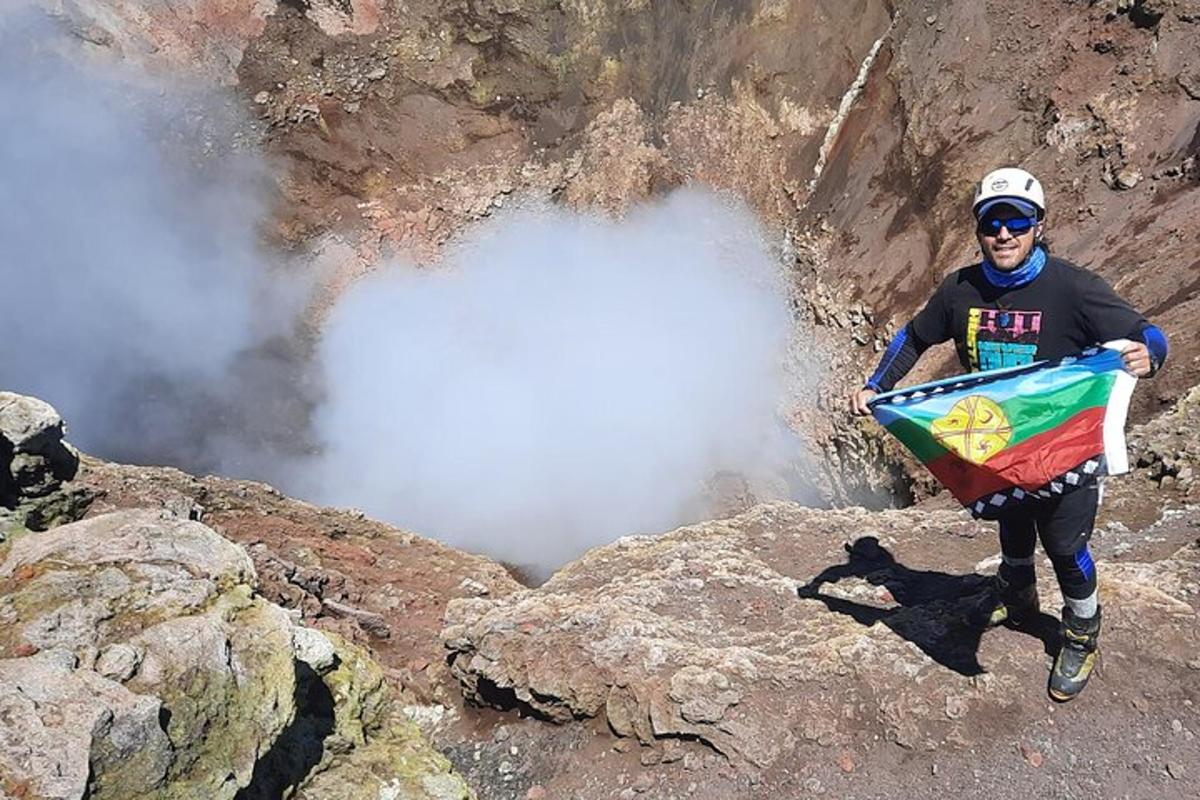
(1018, 306)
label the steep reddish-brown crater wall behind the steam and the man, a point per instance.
(395, 131)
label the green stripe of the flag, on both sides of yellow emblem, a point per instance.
(1028, 416)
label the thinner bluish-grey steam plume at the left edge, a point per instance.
(135, 290)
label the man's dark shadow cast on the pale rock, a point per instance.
(944, 615)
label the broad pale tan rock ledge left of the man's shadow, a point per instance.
(695, 685)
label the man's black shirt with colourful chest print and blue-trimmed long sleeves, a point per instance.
(1063, 311)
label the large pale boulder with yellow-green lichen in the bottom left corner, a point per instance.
(136, 661)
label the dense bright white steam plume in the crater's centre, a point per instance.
(561, 381)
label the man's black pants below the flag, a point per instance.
(1065, 526)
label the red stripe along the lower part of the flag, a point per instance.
(1030, 465)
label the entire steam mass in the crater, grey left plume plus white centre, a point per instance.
(557, 383)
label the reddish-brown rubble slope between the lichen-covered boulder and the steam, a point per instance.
(343, 573)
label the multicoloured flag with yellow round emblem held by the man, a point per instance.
(1007, 437)
